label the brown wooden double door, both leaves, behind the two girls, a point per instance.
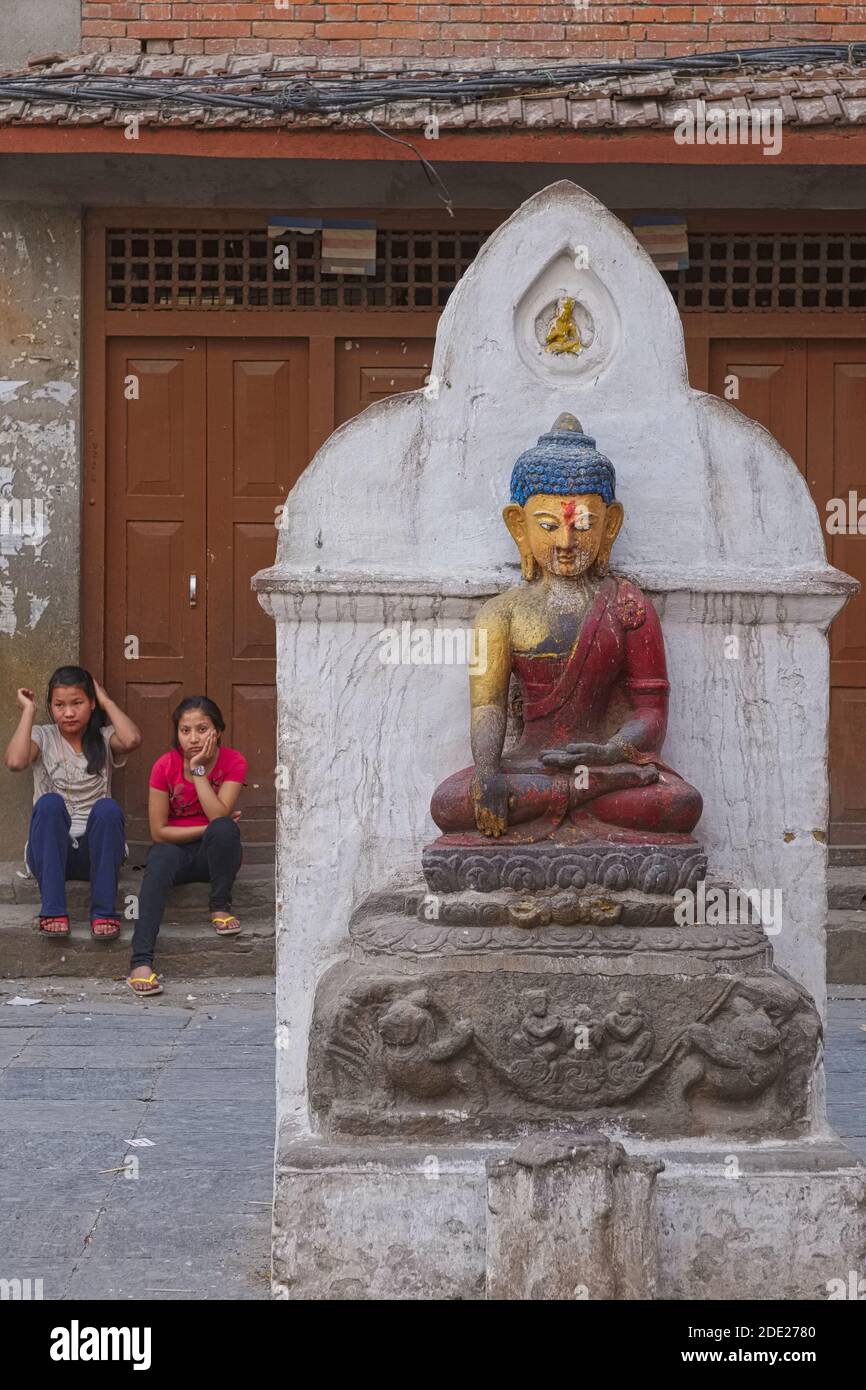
(205, 439)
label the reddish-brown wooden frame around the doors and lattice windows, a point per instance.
(322, 327)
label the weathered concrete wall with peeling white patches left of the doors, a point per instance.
(40, 471)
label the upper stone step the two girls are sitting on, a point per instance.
(254, 893)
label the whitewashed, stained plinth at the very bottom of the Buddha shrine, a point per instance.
(397, 1221)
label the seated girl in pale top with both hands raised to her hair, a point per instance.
(77, 831)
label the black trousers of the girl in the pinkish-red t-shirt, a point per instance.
(215, 860)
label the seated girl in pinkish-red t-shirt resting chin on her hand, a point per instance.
(194, 824)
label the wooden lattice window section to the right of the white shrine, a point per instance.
(744, 273)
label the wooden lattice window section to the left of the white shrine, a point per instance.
(156, 269)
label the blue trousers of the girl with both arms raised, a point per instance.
(98, 856)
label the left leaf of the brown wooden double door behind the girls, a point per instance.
(155, 541)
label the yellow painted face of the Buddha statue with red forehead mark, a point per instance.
(564, 536)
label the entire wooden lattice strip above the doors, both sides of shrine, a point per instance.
(729, 273)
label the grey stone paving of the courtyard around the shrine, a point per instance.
(94, 1068)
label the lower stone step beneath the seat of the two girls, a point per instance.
(191, 949)
